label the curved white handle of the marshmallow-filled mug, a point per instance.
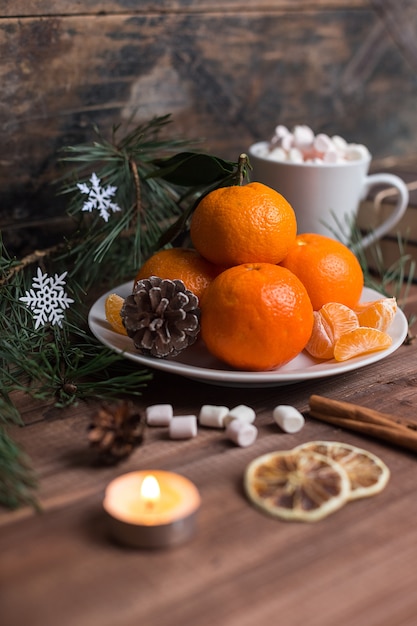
(398, 211)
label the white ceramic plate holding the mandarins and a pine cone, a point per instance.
(198, 364)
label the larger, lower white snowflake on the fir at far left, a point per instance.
(47, 299)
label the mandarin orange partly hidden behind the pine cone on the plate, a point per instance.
(183, 263)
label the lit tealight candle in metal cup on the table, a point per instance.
(151, 509)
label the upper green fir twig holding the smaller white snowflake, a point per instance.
(146, 203)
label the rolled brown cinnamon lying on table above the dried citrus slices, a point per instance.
(365, 421)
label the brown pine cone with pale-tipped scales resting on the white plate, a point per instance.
(161, 316)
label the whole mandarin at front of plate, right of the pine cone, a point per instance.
(256, 316)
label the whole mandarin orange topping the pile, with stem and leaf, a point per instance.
(243, 224)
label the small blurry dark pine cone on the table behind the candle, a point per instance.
(115, 432)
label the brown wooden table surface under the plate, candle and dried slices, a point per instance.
(357, 567)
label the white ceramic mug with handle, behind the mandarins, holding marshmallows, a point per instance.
(326, 196)
